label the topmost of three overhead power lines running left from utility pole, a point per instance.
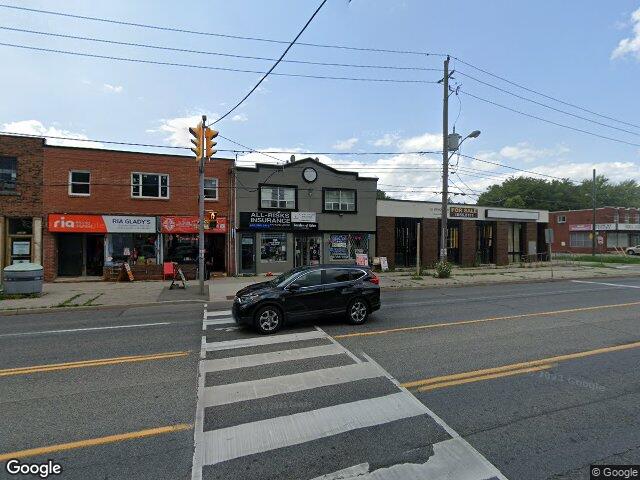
(220, 35)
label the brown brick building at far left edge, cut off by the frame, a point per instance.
(21, 213)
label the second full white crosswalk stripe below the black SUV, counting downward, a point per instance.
(256, 359)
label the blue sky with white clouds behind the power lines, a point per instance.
(582, 52)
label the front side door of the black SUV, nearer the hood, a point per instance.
(306, 298)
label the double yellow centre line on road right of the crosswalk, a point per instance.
(515, 367)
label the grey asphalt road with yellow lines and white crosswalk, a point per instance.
(540, 379)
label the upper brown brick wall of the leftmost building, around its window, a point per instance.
(26, 201)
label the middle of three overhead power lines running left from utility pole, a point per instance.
(220, 54)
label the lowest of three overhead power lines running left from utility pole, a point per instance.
(209, 67)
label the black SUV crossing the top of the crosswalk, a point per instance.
(308, 292)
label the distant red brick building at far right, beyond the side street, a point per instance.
(616, 228)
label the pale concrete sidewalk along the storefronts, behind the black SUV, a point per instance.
(88, 294)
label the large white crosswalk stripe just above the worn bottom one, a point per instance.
(264, 435)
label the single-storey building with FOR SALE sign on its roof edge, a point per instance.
(477, 235)
